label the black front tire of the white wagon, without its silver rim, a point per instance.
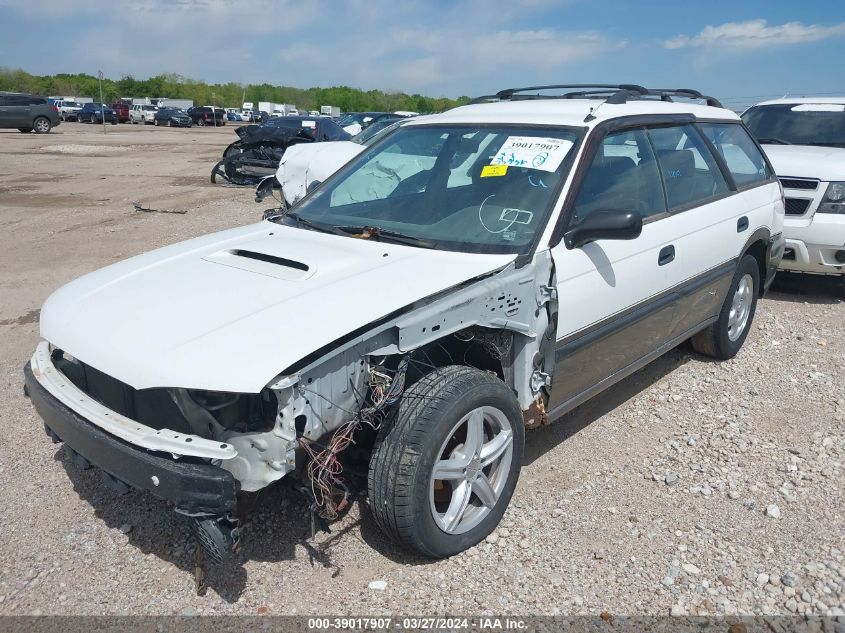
(408, 445)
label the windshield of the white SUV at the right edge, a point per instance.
(798, 124)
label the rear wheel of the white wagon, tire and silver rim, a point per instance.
(725, 337)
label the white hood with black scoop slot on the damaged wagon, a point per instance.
(230, 311)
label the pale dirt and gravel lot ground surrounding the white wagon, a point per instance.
(692, 487)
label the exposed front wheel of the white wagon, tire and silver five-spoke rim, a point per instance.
(444, 469)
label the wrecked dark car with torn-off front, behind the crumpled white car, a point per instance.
(257, 152)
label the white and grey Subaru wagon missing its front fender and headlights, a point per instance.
(471, 275)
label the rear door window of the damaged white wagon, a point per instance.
(690, 172)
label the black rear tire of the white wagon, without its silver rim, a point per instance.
(716, 341)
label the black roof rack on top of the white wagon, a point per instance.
(610, 93)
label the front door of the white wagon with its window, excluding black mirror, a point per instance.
(614, 296)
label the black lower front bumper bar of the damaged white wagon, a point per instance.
(193, 487)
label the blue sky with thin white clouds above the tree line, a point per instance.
(738, 50)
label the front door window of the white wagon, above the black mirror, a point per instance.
(623, 175)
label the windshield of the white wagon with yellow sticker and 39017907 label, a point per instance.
(482, 189)
